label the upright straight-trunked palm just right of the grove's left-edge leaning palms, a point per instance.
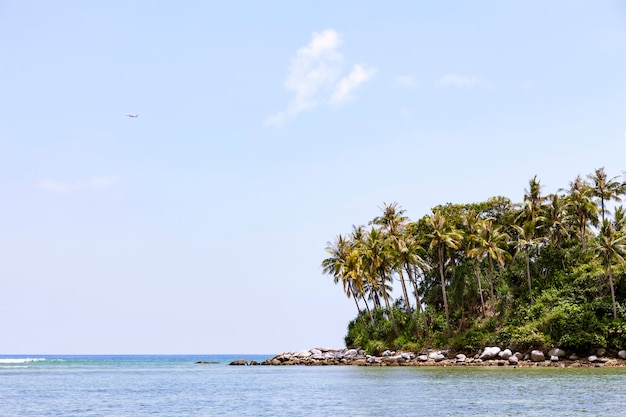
(442, 237)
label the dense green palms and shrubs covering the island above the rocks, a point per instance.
(546, 272)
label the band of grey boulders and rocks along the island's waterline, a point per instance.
(489, 356)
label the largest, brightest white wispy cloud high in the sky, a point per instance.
(313, 76)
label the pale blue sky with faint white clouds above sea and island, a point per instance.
(264, 130)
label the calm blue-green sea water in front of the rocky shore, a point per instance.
(131, 386)
